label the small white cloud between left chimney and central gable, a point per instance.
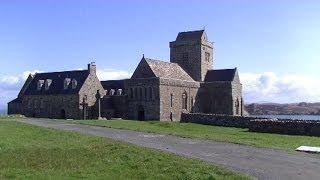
(112, 74)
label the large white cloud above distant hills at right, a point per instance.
(270, 87)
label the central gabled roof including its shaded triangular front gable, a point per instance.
(161, 69)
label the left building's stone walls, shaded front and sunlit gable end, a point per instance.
(64, 105)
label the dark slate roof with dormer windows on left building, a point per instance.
(57, 84)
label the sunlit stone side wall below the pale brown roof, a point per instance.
(175, 89)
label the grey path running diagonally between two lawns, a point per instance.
(257, 162)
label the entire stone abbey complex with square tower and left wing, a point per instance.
(157, 90)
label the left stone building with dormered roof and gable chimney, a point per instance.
(68, 94)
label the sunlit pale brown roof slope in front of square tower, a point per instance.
(168, 70)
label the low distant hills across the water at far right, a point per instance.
(284, 109)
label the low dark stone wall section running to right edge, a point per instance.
(294, 127)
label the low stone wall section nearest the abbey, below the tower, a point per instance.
(217, 120)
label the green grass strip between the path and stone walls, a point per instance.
(225, 134)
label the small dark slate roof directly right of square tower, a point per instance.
(220, 75)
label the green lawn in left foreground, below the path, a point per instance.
(30, 152)
